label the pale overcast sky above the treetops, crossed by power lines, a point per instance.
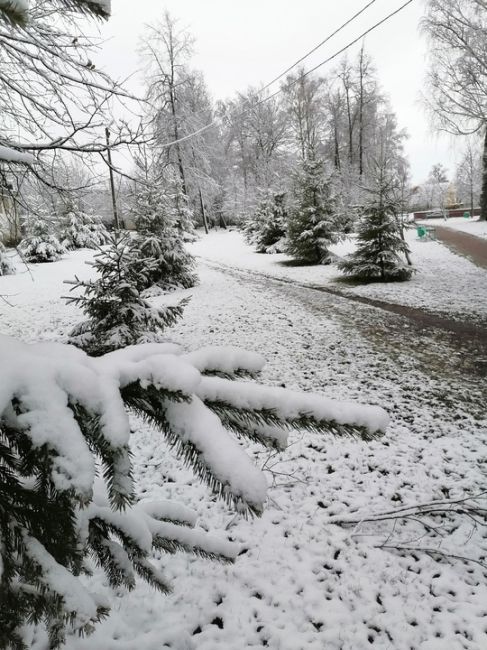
(249, 42)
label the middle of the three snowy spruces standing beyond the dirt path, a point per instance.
(312, 227)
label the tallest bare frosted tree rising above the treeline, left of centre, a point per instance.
(181, 111)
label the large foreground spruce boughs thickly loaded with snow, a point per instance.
(66, 493)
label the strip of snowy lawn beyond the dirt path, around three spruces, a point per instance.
(445, 283)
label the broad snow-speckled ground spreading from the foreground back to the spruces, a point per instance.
(303, 583)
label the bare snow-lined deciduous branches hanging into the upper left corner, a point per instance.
(53, 99)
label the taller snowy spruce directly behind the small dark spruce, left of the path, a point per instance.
(159, 239)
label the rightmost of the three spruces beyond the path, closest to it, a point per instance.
(381, 250)
